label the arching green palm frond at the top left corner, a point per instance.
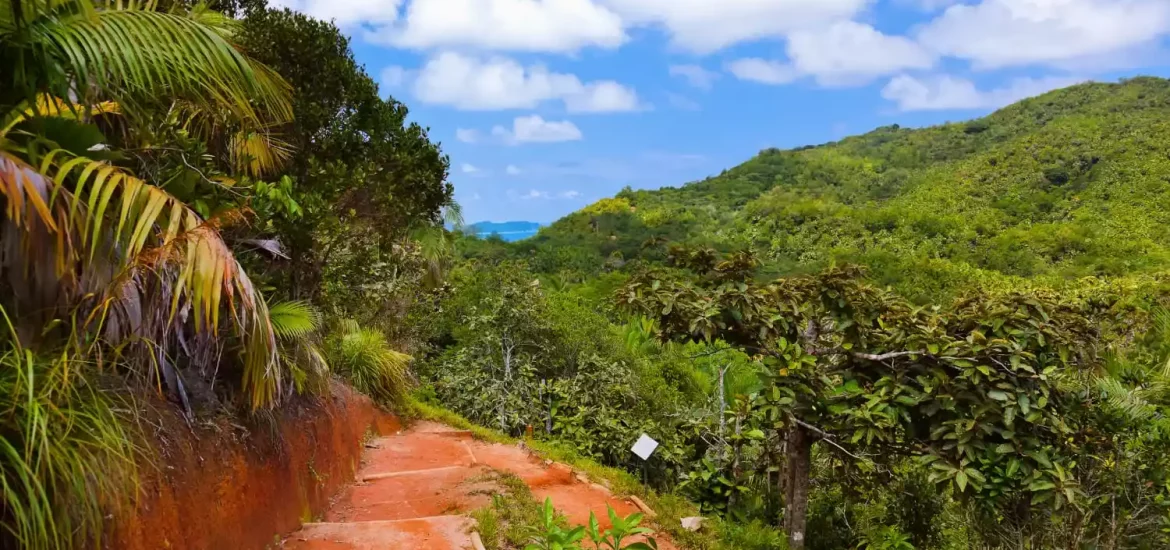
(122, 53)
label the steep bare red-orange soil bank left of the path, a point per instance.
(222, 486)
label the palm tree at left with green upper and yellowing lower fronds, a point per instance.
(86, 239)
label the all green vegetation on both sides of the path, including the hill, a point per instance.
(951, 338)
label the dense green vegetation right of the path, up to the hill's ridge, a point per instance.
(948, 338)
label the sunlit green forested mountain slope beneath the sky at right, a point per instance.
(1070, 184)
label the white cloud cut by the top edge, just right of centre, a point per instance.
(706, 26)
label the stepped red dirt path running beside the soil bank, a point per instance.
(415, 489)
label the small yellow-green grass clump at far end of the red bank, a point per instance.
(366, 360)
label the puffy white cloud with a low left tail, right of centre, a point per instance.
(843, 54)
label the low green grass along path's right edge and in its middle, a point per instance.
(718, 534)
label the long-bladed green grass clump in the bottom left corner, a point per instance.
(66, 456)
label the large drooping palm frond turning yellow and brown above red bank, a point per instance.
(93, 229)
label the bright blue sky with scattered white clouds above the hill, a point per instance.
(546, 106)
